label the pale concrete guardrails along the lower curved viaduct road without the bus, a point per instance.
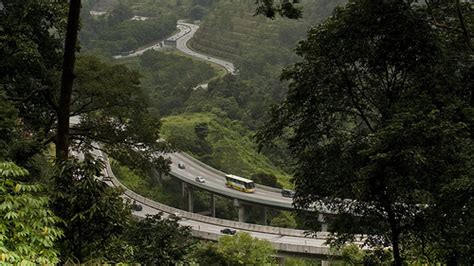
(284, 247)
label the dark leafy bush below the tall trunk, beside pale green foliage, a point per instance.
(94, 214)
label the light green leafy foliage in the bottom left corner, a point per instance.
(28, 228)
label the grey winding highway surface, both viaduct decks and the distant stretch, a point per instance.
(282, 239)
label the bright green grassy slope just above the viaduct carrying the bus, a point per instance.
(233, 150)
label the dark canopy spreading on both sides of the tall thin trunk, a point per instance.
(107, 100)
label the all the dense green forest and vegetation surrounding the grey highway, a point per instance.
(370, 111)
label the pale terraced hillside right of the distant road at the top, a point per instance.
(256, 44)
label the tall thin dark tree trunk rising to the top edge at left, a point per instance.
(64, 106)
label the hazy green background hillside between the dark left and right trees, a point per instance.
(259, 46)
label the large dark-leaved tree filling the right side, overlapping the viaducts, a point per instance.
(379, 113)
